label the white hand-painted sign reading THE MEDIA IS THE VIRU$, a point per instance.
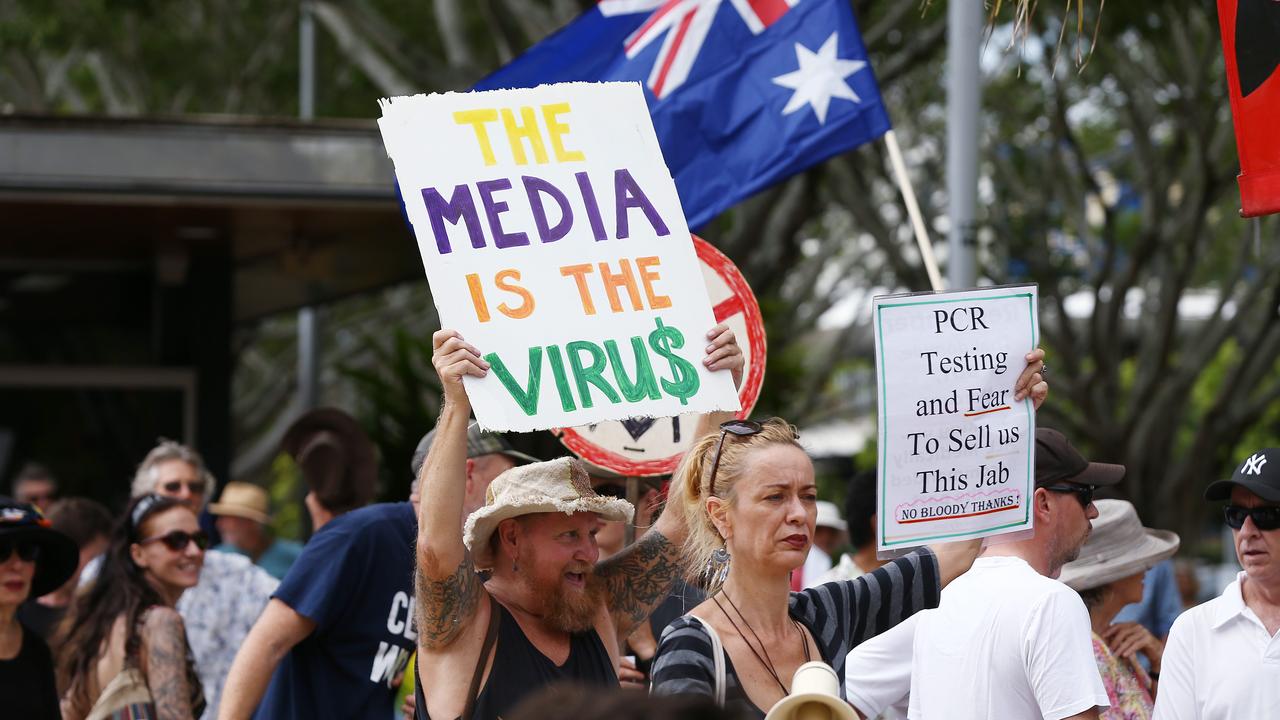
(554, 240)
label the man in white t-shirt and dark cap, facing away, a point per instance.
(1009, 641)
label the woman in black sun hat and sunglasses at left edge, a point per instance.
(35, 560)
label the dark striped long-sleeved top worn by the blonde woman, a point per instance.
(839, 616)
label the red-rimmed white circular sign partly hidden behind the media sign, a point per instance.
(643, 448)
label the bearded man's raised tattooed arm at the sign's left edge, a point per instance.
(447, 585)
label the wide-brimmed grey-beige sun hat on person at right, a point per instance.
(1118, 548)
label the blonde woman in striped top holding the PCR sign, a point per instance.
(749, 499)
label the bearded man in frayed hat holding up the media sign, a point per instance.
(548, 610)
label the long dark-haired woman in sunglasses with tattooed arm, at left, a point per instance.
(124, 650)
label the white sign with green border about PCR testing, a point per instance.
(956, 450)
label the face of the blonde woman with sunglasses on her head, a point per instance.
(772, 518)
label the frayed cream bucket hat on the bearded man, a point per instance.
(556, 486)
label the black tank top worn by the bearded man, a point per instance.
(520, 669)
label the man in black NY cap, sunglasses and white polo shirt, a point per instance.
(1223, 658)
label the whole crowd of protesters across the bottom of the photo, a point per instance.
(511, 587)
